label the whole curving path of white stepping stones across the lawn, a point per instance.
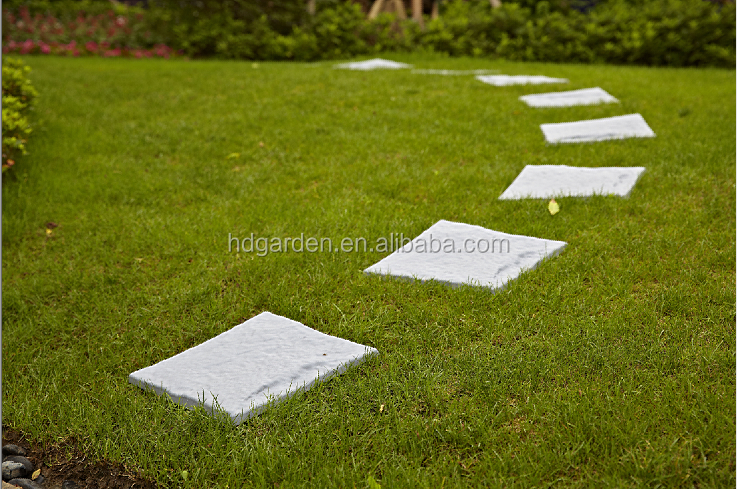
(269, 357)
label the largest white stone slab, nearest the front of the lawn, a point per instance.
(263, 359)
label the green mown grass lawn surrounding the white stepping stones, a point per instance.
(611, 365)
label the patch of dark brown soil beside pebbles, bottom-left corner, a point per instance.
(65, 461)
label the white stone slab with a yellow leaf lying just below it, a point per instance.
(551, 181)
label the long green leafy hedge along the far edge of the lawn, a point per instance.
(649, 32)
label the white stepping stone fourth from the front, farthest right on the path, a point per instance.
(620, 127)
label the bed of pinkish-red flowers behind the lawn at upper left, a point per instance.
(108, 34)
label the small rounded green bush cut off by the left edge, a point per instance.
(18, 95)
